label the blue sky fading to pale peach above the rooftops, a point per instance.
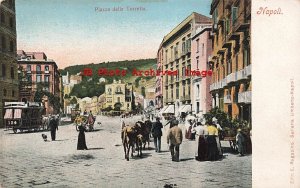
(73, 32)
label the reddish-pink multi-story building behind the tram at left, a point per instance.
(40, 73)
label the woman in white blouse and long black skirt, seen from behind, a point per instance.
(201, 144)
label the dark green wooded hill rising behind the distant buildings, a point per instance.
(90, 85)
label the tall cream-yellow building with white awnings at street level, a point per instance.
(176, 59)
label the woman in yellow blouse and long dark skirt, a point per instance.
(211, 142)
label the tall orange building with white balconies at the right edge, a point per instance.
(230, 60)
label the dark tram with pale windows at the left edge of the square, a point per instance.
(24, 116)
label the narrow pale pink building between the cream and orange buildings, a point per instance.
(201, 49)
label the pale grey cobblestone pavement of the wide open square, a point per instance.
(27, 161)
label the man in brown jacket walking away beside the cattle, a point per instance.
(174, 139)
